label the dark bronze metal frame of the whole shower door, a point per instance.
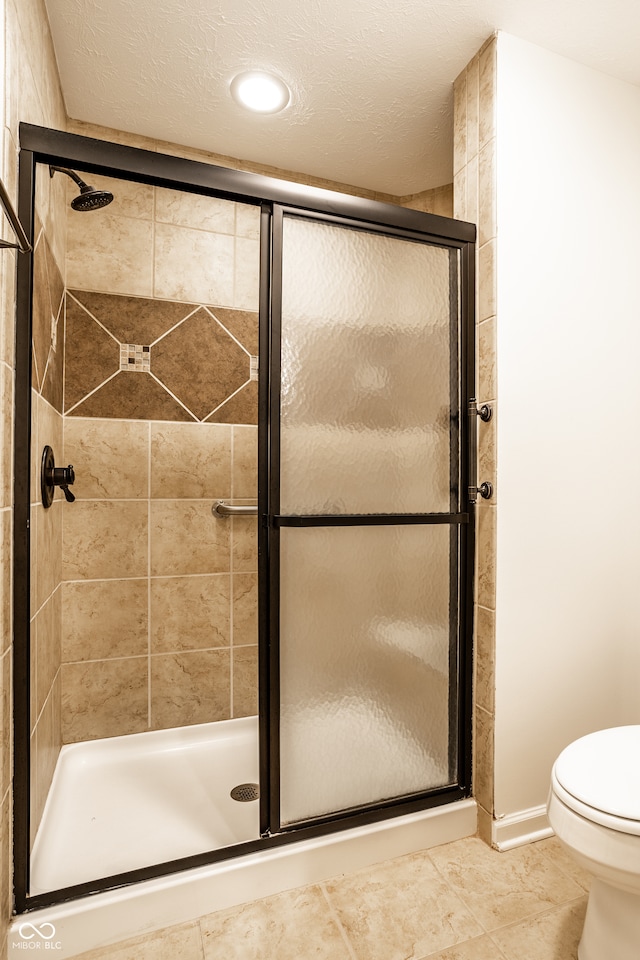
(40, 145)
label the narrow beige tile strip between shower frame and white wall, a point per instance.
(474, 200)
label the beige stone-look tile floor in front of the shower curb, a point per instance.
(461, 901)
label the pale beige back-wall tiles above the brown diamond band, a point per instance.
(155, 242)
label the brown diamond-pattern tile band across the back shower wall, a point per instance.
(204, 369)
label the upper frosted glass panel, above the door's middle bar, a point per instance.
(367, 412)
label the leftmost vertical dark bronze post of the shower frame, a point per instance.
(22, 541)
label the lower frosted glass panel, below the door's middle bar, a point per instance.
(365, 658)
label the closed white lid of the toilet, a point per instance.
(602, 770)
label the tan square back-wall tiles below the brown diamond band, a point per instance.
(160, 597)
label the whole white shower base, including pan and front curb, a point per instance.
(139, 810)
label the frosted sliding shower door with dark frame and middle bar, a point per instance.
(365, 517)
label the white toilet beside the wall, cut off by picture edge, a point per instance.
(594, 809)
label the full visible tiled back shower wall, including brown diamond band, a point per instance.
(160, 596)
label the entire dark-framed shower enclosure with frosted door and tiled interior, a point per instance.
(263, 586)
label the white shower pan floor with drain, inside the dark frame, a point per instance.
(129, 802)
